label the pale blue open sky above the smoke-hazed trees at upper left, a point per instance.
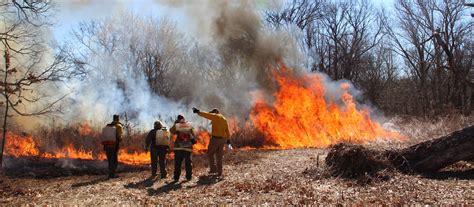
(71, 12)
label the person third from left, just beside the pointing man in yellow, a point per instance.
(183, 147)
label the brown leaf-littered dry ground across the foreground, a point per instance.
(251, 177)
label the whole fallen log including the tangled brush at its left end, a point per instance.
(352, 161)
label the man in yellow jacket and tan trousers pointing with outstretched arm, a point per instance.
(220, 136)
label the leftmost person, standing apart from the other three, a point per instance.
(111, 149)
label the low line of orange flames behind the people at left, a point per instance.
(28, 146)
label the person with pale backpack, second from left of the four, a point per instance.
(158, 151)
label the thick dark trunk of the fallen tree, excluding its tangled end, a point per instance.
(435, 154)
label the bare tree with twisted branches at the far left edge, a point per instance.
(26, 61)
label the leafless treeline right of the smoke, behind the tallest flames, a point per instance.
(414, 59)
